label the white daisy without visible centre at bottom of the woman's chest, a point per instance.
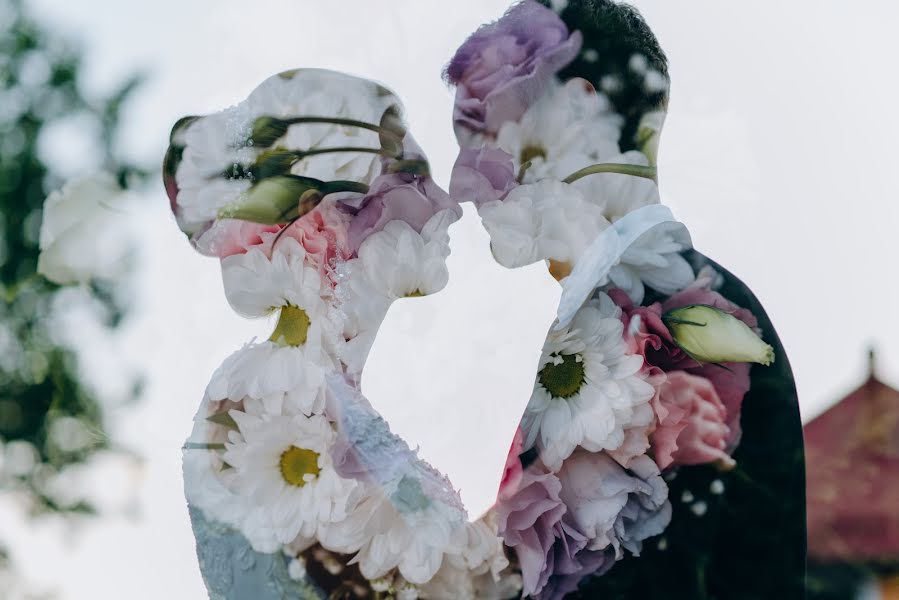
(400, 528)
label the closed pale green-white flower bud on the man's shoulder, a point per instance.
(711, 335)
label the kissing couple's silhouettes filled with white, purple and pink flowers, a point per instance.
(320, 206)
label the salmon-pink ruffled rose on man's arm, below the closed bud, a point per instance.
(692, 425)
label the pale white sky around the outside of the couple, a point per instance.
(778, 154)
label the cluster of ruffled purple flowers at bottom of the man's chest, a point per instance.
(566, 527)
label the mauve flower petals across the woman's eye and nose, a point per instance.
(399, 196)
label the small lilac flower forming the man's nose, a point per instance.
(482, 175)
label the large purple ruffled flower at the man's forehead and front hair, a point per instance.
(505, 66)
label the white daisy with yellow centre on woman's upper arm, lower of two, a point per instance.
(282, 465)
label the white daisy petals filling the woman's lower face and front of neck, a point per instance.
(396, 262)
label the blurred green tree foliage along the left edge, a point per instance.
(50, 419)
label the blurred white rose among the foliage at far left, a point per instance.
(83, 231)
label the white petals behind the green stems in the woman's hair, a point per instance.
(215, 143)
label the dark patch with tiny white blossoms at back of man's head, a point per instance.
(621, 57)
